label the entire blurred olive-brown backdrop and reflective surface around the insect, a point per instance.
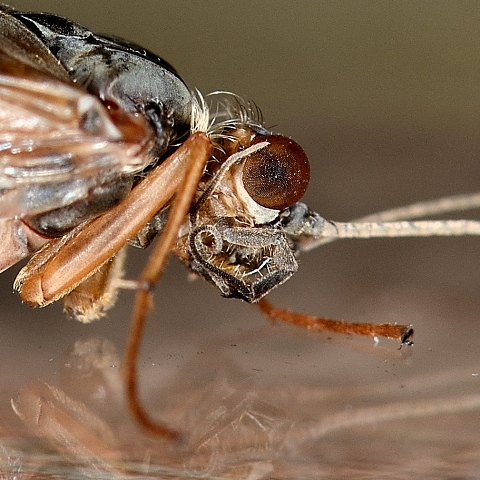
(385, 102)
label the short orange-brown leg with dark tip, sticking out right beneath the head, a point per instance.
(403, 333)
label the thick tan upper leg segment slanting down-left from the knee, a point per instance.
(66, 262)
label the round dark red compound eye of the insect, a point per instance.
(276, 176)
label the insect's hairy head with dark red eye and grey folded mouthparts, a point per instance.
(235, 235)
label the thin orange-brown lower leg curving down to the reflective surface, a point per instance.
(200, 153)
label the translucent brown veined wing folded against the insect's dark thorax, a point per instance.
(52, 132)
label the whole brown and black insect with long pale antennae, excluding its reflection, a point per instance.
(98, 136)
